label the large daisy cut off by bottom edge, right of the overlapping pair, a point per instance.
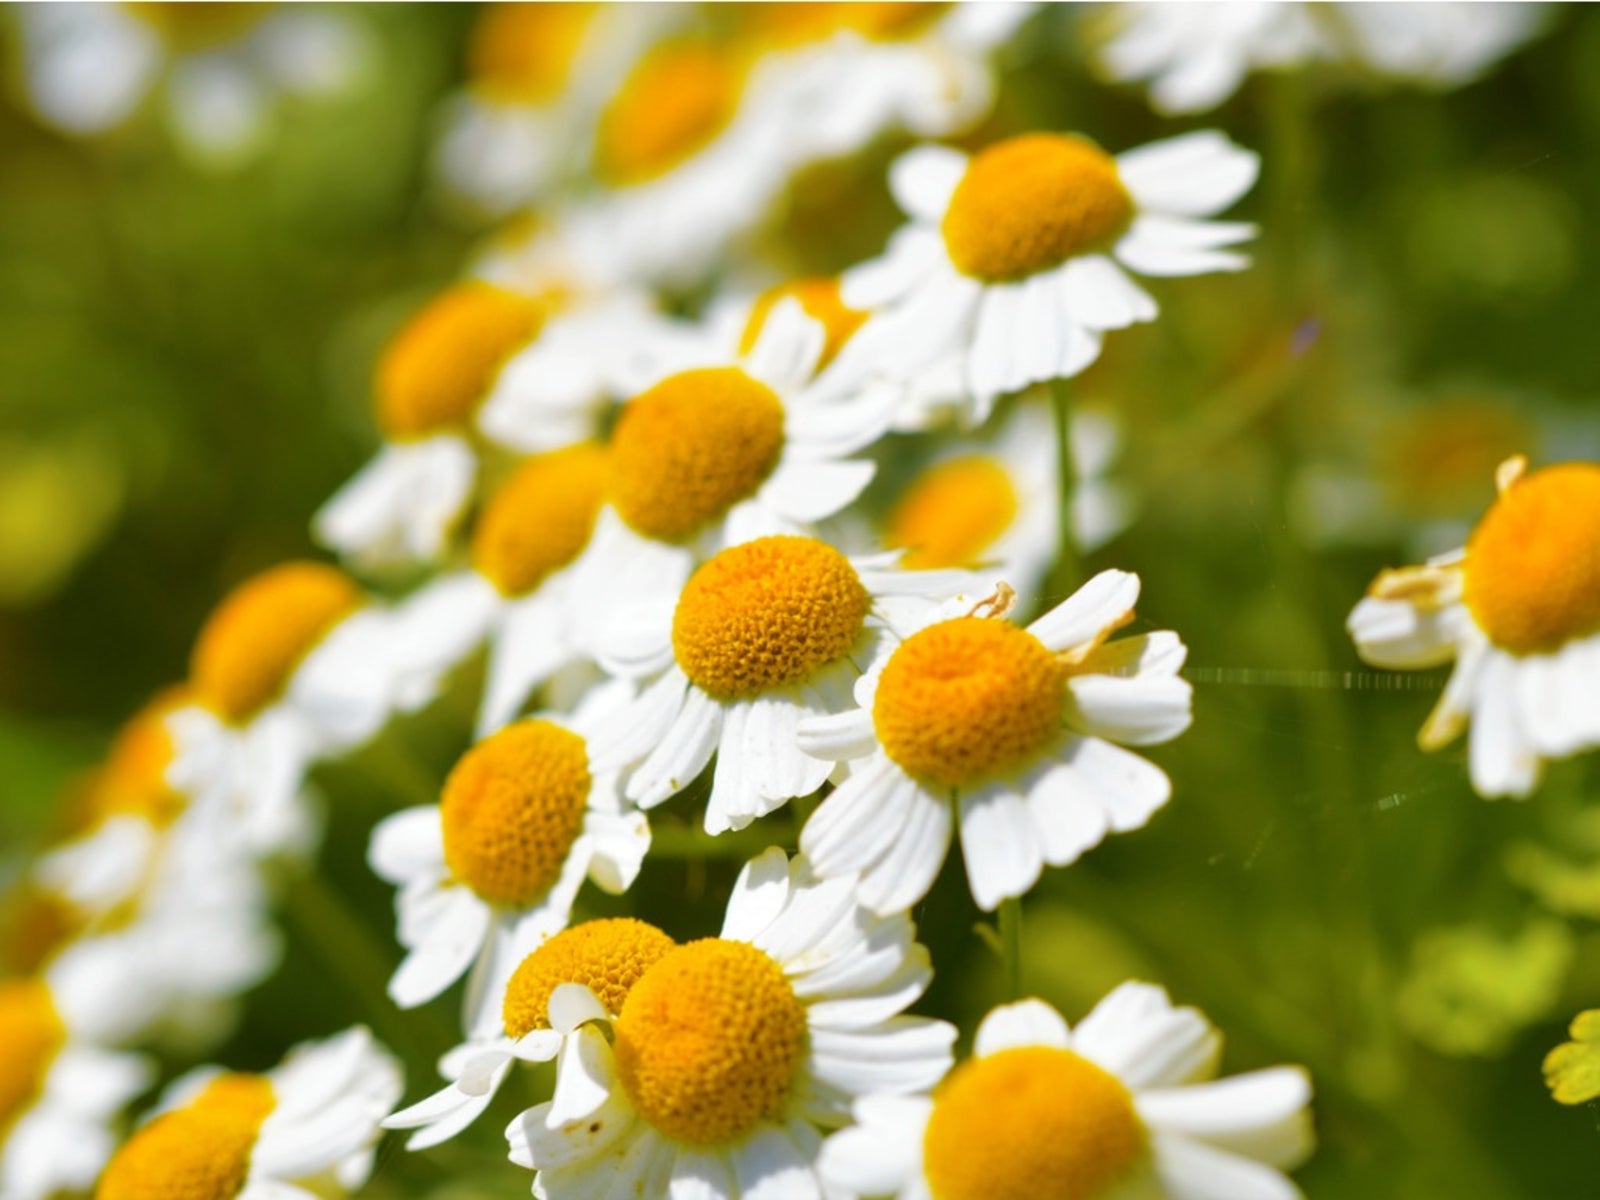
(1122, 1108)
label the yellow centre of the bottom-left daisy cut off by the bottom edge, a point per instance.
(198, 1153)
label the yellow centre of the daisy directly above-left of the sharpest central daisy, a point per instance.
(692, 447)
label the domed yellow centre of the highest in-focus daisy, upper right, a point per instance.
(1033, 202)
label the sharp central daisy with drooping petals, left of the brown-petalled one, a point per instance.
(766, 634)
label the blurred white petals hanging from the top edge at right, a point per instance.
(1194, 57)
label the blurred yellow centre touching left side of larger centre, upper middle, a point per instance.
(540, 519)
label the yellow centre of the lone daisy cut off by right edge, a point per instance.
(1534, 562)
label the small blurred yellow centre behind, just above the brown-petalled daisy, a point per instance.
(954, 513)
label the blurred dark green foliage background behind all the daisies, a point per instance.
(185, 372)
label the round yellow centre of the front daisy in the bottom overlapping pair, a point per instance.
(710, 1042)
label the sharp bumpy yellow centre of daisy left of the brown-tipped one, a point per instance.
(767, 614)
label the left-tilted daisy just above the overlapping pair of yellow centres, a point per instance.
(494, 868)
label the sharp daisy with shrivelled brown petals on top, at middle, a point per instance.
(1014, 730)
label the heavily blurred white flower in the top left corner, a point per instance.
(223, 68)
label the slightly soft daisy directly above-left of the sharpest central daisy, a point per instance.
(721, 454)
